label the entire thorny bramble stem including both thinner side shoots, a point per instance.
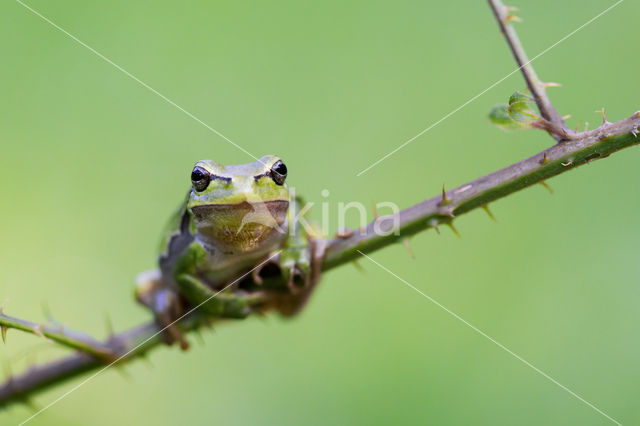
(578, 149)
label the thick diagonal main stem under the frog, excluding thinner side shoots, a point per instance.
(597, 144)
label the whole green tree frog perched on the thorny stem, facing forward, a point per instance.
(237, 222)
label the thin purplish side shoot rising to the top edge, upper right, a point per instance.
(537, 87)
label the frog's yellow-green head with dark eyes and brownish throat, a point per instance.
(239, 208)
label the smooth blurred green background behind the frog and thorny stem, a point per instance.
(92, 164)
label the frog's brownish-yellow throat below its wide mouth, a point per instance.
(242, 227)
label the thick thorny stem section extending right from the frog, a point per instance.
(560, 158)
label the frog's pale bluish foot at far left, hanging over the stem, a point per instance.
(164, 303)
